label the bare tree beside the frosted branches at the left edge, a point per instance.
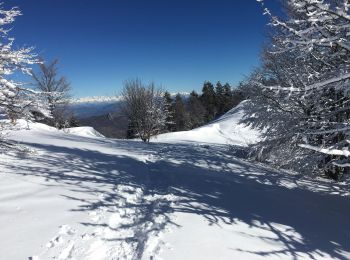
(57, 90)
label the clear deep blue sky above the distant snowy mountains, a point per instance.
(176, 43)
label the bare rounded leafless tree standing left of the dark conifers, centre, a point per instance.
(144, 105)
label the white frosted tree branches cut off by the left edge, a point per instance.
(16, 101)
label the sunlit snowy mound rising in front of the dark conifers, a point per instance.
(225, 130)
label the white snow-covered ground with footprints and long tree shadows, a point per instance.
(78, 195)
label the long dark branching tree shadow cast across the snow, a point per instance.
(208, 182)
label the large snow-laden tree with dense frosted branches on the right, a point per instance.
(301, 94)
